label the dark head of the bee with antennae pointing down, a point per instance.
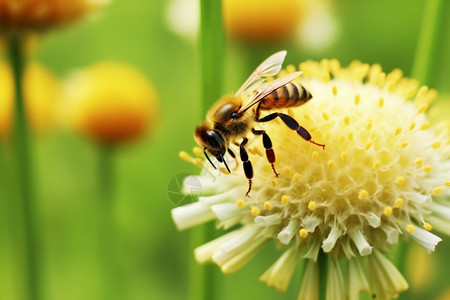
(211, 140)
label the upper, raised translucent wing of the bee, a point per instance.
(270, 67)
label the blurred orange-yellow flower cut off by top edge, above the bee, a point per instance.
(261, 20)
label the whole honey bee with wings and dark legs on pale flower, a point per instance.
(233, 117)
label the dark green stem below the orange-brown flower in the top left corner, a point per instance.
(21, 144)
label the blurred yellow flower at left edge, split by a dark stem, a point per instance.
(41, 91)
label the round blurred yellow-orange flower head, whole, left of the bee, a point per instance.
(109, 102)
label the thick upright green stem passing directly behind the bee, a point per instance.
(212, 48)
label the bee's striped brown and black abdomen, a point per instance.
(292, 94)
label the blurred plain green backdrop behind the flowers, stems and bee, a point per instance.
(152, 257)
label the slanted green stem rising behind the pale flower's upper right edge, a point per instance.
(426, 56)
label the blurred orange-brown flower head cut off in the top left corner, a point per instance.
(20, 15)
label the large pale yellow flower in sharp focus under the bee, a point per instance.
(383, 176)
